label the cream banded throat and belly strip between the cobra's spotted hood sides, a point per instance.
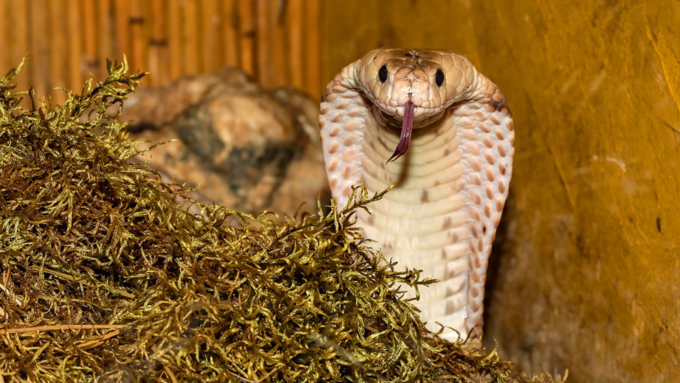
(423, 223)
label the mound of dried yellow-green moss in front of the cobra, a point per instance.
(106, 277)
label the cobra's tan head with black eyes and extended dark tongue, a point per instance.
(412, 88)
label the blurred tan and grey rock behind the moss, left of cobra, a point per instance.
(248, 148)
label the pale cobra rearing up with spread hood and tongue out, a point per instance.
(430, 123)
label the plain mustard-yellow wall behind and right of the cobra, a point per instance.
(588, 261)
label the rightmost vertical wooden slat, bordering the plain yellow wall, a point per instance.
(312, 48)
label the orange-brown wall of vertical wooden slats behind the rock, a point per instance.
(276, 41)
